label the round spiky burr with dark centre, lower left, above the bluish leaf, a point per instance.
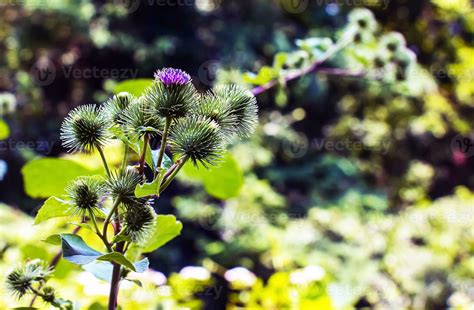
(85, 195)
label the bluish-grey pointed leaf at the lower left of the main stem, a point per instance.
(76, 251)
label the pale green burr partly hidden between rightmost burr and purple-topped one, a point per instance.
(218, 110)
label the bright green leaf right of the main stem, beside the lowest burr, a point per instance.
(167, 228)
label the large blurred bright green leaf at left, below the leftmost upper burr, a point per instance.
(45, 177)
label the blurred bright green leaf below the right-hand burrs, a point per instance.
(223, 182)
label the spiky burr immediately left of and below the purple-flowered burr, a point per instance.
(139, 118)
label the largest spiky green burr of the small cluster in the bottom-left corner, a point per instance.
(20, 281)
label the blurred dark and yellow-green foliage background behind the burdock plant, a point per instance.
(356, 191)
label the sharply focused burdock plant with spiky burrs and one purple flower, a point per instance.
(118, 206)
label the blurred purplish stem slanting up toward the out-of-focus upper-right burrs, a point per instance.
(298, 73)
